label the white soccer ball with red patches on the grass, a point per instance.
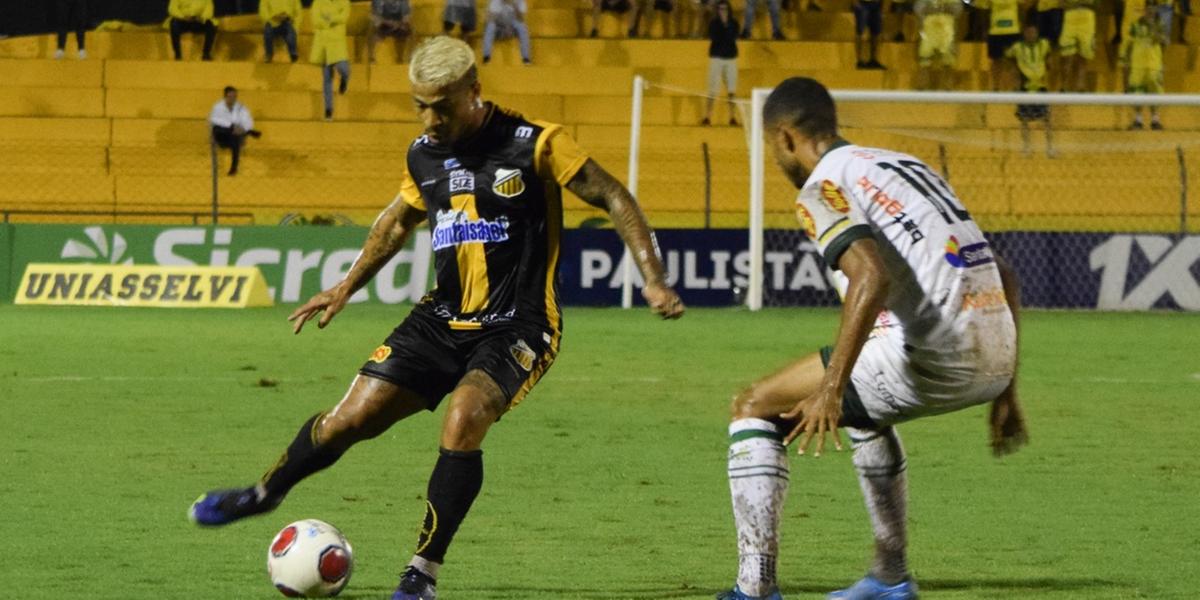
(310, 559)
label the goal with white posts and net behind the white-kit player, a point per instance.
(1094, 215)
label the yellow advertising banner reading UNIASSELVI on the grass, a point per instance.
(113, 285)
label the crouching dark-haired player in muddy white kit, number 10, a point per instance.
(928, 327)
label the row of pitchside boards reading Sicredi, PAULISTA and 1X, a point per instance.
(709, 267)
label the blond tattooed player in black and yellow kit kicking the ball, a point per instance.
(489, 183)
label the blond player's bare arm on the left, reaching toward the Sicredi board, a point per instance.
(388, 236)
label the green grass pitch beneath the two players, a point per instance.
(608, 483)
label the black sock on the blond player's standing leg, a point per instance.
(454, 485)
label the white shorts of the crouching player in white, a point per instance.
(896, 382)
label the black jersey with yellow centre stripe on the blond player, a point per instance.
(496, 213)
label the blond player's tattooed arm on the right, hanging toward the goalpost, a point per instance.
(603, 191)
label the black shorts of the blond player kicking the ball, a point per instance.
(425, 356)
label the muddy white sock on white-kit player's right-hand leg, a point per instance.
(881, 466)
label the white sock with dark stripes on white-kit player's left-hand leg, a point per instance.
(759, 481)
